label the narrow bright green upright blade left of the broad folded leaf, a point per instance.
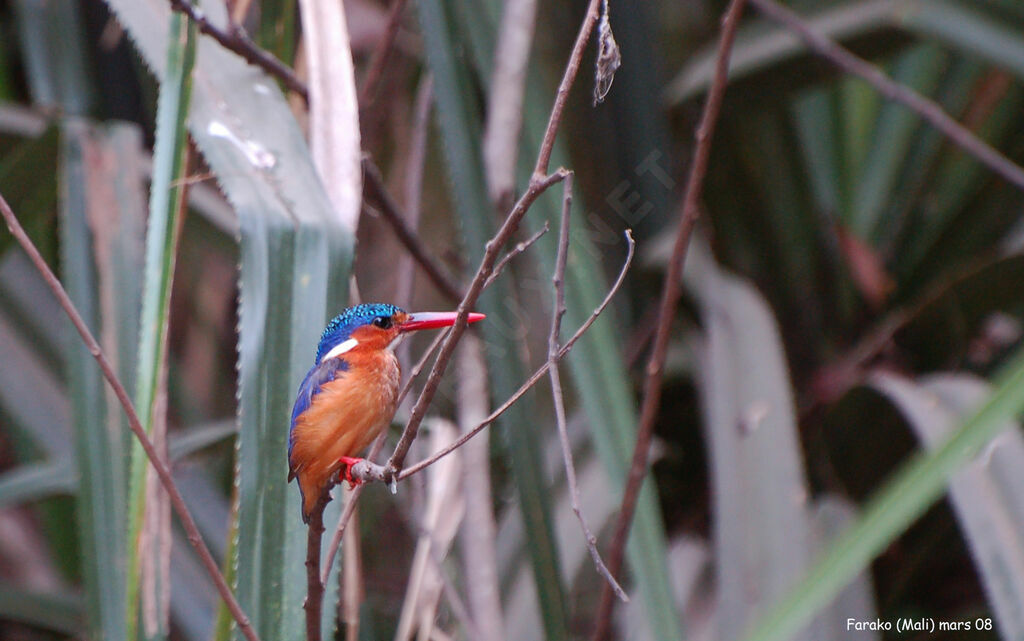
(161, 248)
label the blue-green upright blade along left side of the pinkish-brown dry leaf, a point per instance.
(102, 512)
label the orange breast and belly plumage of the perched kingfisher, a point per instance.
(344, 419)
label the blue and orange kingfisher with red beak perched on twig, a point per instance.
(351, 394)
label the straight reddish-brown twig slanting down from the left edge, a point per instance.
(178, 502)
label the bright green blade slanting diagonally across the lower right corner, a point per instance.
(917, 486)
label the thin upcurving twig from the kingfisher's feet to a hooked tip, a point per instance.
(370, 473)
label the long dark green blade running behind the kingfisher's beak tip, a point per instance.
(461, 133)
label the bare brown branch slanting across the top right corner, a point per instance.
(927, 109)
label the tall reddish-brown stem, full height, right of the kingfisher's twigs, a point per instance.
(670, 300)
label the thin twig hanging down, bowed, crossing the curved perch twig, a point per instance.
(558, 313)
